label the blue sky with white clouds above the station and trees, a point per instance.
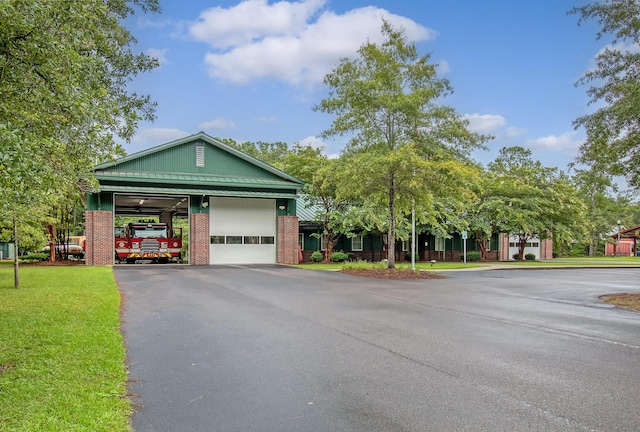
(253, 70)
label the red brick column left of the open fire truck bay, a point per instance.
(99, 245)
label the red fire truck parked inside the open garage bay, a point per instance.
(148, 242)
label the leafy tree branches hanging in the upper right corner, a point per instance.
(613, 130)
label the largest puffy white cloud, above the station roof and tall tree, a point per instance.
(295, 42)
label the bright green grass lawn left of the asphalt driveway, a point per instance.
(62, 357)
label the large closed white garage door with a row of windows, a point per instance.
(243, 230)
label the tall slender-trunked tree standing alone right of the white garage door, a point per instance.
(386, 101)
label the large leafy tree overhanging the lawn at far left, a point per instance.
(64, 70)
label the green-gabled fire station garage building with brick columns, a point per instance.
(239, 209)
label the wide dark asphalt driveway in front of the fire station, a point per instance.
(283, 349)
